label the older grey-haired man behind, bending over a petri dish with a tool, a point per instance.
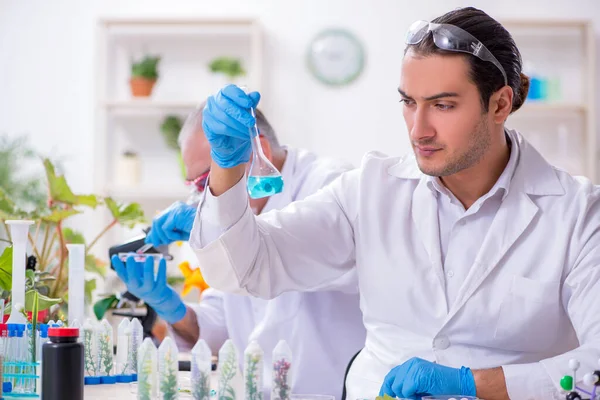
(323, 329)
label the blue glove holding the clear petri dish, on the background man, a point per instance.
(139, 278)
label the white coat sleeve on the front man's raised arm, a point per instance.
(308, 245)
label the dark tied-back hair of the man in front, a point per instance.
(498, 41)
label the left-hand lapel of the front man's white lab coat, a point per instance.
(425, 217)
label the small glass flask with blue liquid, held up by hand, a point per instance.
(264, 179)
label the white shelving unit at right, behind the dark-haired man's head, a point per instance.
(562, 128)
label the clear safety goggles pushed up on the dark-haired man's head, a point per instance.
(452, 38)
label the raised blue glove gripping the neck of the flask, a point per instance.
(226, 121)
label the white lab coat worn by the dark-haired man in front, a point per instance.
(529, 303)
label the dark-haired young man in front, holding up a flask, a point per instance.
(478, 262)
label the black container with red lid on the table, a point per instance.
(62, 365)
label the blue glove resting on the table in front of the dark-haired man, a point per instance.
(417, 377)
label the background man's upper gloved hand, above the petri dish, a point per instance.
(173, 224)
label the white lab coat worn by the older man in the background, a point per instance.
(324, 329)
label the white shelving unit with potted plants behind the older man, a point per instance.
(123, 122)
